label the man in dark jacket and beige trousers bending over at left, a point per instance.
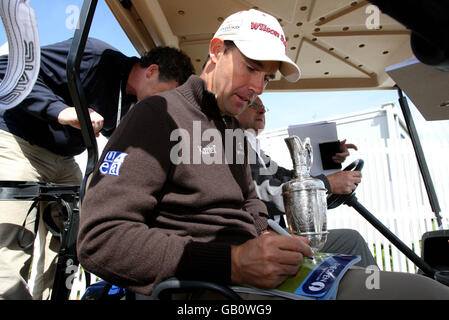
(40, 137)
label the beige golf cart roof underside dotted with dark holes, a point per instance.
(333, 41)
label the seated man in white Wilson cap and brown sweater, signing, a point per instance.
(170, 196)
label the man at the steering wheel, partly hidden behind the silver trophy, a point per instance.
(269, 177)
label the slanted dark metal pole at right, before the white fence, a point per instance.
(420, 157)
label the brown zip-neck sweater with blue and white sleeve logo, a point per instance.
(145, 218)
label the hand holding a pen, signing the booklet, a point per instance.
(268, 260)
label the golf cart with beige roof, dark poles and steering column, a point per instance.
(328, 38)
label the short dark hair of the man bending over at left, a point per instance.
(173, 63)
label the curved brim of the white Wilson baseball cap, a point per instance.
(252, 50)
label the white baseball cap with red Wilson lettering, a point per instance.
(259, 36)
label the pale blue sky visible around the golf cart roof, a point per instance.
(56, 22)
